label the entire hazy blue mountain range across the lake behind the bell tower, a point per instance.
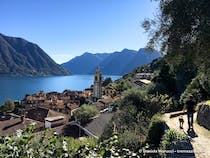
(116, 63)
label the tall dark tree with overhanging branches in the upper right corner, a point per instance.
(181, 30)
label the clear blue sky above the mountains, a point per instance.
(68, 28)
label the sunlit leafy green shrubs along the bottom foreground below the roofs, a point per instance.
(48, 144)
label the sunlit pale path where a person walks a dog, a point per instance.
(200, 141)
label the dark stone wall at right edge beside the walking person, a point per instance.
(203, 117)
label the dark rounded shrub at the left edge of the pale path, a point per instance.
(156, 130)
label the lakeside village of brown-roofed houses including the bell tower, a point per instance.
(56, 110)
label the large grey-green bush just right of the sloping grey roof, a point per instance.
(128, 119)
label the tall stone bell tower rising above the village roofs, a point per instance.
(97, 87)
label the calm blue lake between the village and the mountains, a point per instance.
(16, 87)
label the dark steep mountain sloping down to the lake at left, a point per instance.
(19, 57)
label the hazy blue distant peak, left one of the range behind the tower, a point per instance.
(85, 63)
